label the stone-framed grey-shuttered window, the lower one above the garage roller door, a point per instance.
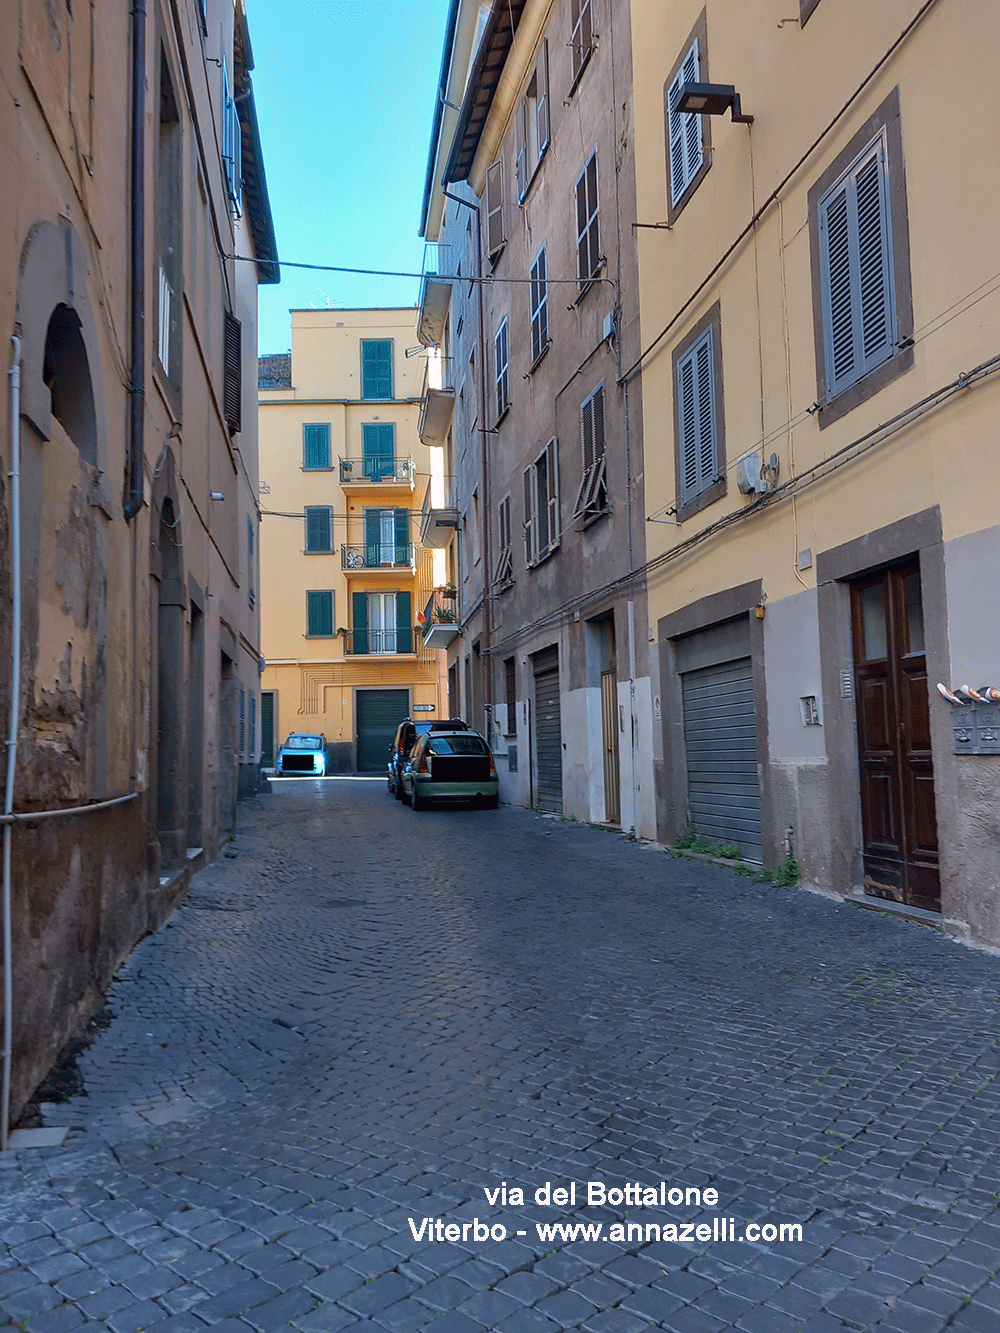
(698, 397)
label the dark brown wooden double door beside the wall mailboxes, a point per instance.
(894, 739)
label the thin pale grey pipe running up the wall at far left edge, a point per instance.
(15, 474)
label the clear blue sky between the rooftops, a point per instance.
(346, 94)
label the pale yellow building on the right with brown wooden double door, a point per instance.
(819, 357)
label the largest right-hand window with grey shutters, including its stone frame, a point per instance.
(863, 313)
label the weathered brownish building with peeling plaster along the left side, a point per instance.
(129, 485)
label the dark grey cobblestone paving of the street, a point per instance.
(373, 1015)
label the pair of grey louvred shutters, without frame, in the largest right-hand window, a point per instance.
(859, 309)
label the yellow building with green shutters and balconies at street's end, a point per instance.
(346, 586)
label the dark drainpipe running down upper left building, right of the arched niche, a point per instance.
(137, 389)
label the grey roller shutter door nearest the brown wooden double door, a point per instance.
(721, 746)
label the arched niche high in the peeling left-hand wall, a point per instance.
(61, 351)
